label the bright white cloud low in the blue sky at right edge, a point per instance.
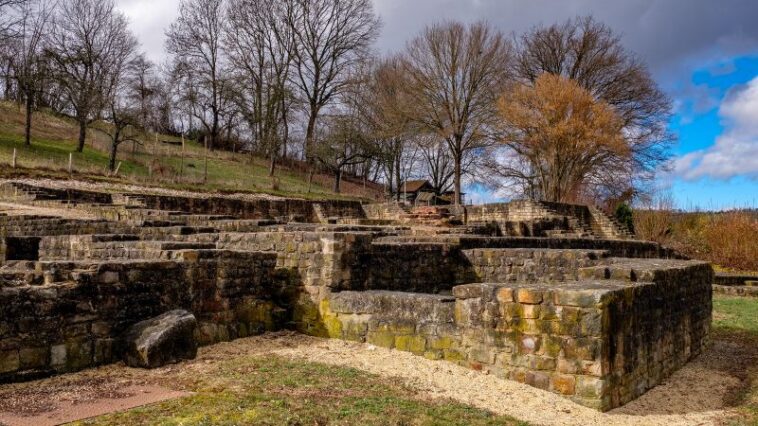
(735, 152)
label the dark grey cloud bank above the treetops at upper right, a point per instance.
(672, 36)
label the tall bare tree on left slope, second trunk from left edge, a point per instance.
(83, 47)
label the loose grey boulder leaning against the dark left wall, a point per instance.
(165, 339)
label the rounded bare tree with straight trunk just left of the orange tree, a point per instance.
(455, 75)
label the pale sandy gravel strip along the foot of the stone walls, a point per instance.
(698, 394)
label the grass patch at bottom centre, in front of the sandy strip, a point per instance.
(276, 391)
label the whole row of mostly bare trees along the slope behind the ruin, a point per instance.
(562, 112)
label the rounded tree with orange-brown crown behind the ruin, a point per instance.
(561, 139)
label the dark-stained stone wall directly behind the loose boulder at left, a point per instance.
(53, 327)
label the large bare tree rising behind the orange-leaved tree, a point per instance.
(589, 53)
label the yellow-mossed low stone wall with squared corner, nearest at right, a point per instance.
(600, 343)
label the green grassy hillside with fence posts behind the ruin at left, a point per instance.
(153, 163)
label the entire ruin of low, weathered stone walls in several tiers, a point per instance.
(556, 296)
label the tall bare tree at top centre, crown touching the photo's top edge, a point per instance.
(329, 36)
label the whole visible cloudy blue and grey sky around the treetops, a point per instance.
(703, 54)
